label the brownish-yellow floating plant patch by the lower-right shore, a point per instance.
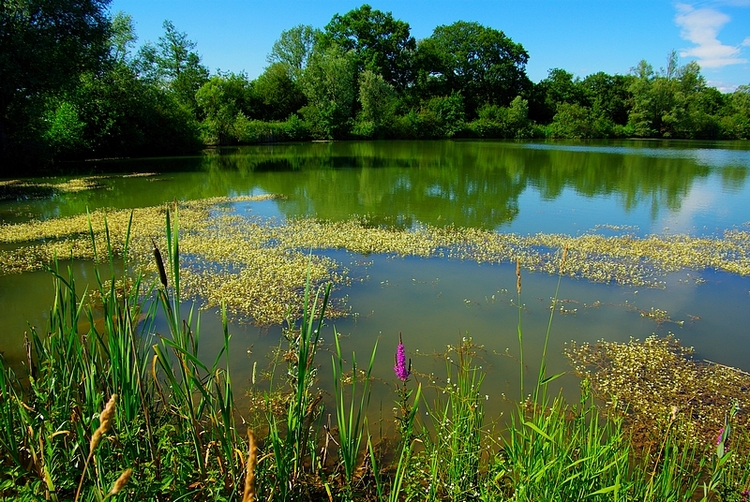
(655, 384)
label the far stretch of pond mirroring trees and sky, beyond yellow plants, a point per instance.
(464, 183)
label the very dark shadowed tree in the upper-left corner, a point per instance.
(44, 46)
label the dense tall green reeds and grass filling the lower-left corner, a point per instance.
(54, 441)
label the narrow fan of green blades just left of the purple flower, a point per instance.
(350, 419)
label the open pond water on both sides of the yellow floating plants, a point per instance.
(635, 189)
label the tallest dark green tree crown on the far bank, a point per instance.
(381, 43)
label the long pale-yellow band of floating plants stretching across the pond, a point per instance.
(257, 265)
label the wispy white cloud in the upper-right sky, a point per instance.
(701, 27)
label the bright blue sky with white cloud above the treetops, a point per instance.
(579, 36)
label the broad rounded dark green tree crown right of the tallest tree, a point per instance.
(481, 63)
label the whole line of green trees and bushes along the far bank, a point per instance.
(73, 85)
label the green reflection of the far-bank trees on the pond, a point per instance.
(474, 184)
